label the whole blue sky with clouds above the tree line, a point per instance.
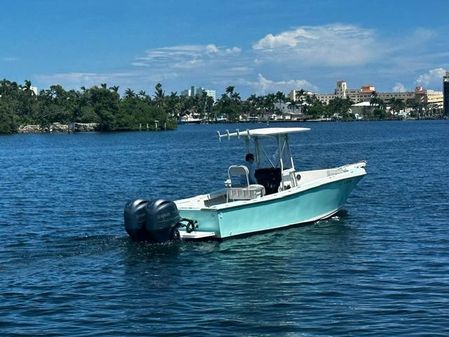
(257, 46)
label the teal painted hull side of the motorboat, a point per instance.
(296, 206)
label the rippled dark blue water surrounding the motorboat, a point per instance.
(378, 268)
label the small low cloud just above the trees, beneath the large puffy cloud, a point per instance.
(263, 85)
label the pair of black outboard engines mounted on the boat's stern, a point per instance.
(154, 221)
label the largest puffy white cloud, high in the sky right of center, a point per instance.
(328, 45)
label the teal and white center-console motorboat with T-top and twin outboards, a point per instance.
(282, 196)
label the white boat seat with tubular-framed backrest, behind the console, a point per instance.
(238, 186)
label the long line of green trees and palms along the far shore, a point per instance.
(19, 105)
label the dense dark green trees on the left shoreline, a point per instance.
(103, 105)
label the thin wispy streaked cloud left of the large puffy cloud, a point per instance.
(185, 63)
